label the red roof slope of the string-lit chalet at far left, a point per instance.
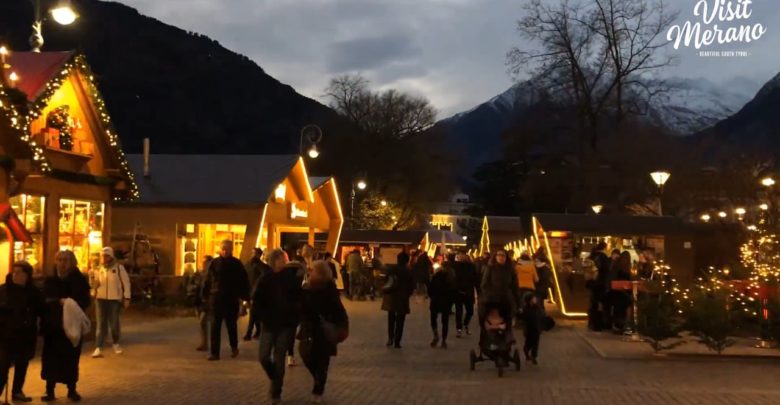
(35, 70)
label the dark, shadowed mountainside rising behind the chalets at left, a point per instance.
(183, 90)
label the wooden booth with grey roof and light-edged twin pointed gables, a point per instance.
(190, 203)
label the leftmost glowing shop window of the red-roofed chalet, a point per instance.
(31, 211)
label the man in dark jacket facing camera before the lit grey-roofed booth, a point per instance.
(226, 285)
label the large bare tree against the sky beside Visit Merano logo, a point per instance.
(591, 54)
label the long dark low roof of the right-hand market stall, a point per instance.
(611, 224)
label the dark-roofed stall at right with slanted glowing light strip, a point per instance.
(569, 238)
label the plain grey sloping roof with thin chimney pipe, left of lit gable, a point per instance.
(210, 179)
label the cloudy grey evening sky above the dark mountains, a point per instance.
(451, 51)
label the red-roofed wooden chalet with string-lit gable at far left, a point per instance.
(67, 161)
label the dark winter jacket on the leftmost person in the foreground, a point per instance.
(20, 309)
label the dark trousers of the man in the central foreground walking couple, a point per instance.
(274, 344)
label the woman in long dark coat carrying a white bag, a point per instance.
(60, 360)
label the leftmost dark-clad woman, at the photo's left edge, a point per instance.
(21, 305)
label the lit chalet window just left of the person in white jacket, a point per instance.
(81, 230)
